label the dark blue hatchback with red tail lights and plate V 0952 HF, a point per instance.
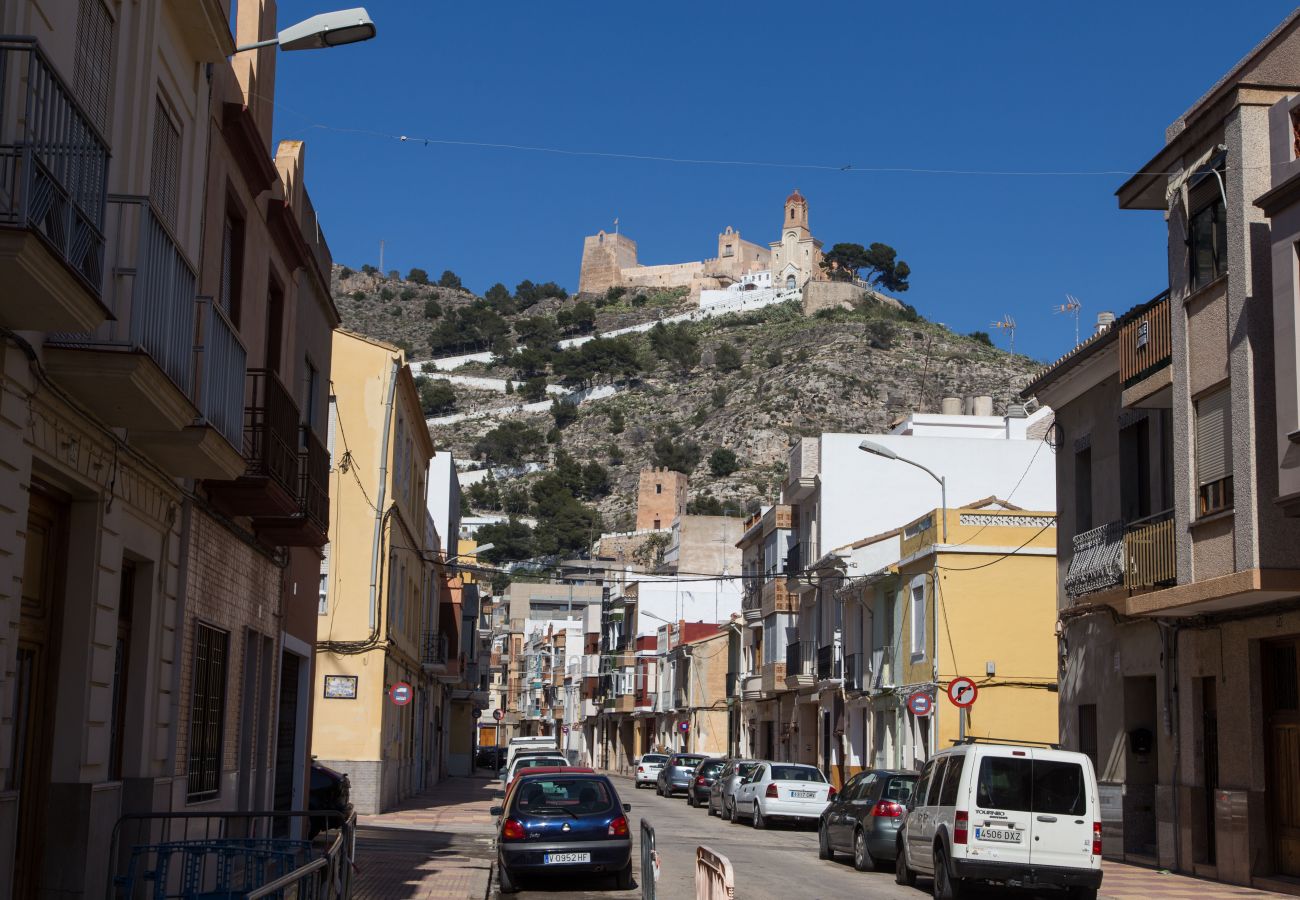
(564, 823)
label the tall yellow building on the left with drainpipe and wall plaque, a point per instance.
(379, 589)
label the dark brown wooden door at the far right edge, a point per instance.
(1282, 737)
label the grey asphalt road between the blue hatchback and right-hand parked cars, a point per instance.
(775, 864)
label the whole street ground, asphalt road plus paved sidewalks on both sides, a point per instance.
(439, 847)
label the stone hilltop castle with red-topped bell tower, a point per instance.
(791, 262)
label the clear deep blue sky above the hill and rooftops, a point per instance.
(1011, 86)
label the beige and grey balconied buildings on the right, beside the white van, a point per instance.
(1180, 572)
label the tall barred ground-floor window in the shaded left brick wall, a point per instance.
(207, 712)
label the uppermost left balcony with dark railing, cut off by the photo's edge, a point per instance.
(54, 180)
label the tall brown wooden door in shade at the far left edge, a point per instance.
(34, 687)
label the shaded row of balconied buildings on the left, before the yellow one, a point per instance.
(161, 422)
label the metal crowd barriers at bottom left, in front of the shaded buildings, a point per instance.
(297, 854)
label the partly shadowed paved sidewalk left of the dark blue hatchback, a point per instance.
(435, 846)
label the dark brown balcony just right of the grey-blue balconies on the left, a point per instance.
(271, 483)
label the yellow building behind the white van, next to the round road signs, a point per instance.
(995, 624)
